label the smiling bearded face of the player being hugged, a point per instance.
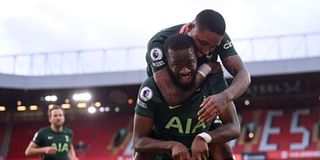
(183, 64)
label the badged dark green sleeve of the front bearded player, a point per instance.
(145, 103)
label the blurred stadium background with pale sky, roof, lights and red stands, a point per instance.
(89, 57)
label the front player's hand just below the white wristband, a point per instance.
(199, 149)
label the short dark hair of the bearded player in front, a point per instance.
(179, 42)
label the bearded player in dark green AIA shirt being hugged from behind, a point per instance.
(162, 131)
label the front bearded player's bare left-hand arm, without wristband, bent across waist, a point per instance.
(144, 144)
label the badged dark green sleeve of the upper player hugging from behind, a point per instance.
(155, 56)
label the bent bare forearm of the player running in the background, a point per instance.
(34, 150)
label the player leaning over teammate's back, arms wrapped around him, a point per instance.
(208, 31)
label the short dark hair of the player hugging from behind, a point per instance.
(211, 20)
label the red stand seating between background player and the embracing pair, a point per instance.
(98, 137)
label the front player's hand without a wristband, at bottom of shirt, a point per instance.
(180, 152)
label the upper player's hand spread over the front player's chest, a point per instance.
(212, 107)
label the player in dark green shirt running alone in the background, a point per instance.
(53, 142)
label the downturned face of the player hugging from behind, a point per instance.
(206, 41)
